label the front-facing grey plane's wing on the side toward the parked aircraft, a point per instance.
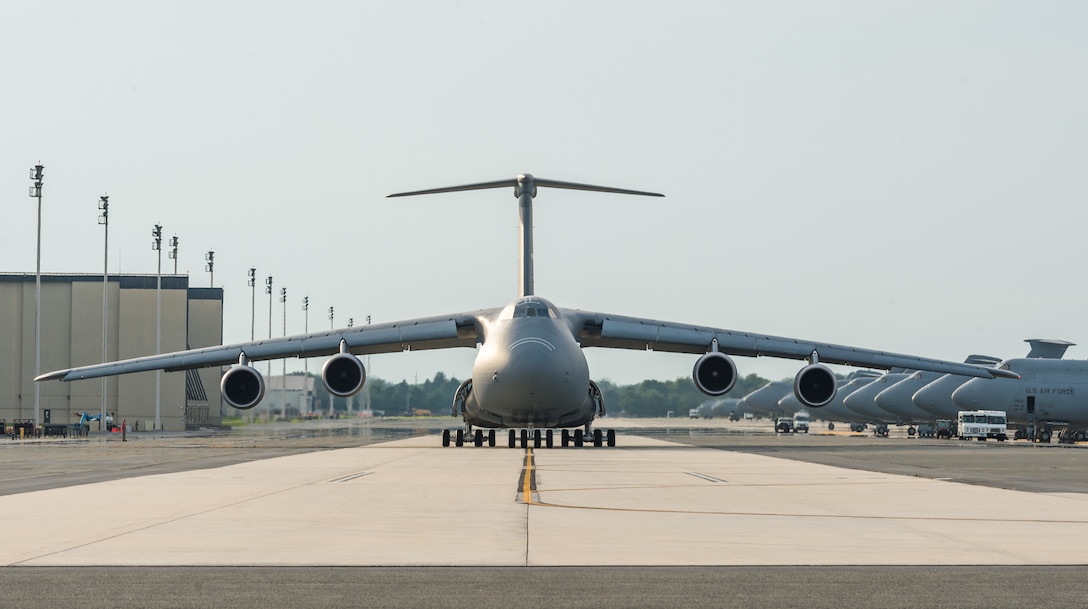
(619, 332)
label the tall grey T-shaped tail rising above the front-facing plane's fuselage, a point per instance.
(525, 191)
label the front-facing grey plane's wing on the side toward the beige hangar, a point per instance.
(460, 330)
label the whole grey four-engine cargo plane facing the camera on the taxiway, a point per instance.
(530, 374)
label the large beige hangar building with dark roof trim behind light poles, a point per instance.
(72, 335)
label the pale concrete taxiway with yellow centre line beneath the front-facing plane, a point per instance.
(647, 503)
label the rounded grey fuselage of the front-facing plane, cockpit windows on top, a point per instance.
(530, 371)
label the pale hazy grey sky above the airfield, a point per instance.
(909, 177)
